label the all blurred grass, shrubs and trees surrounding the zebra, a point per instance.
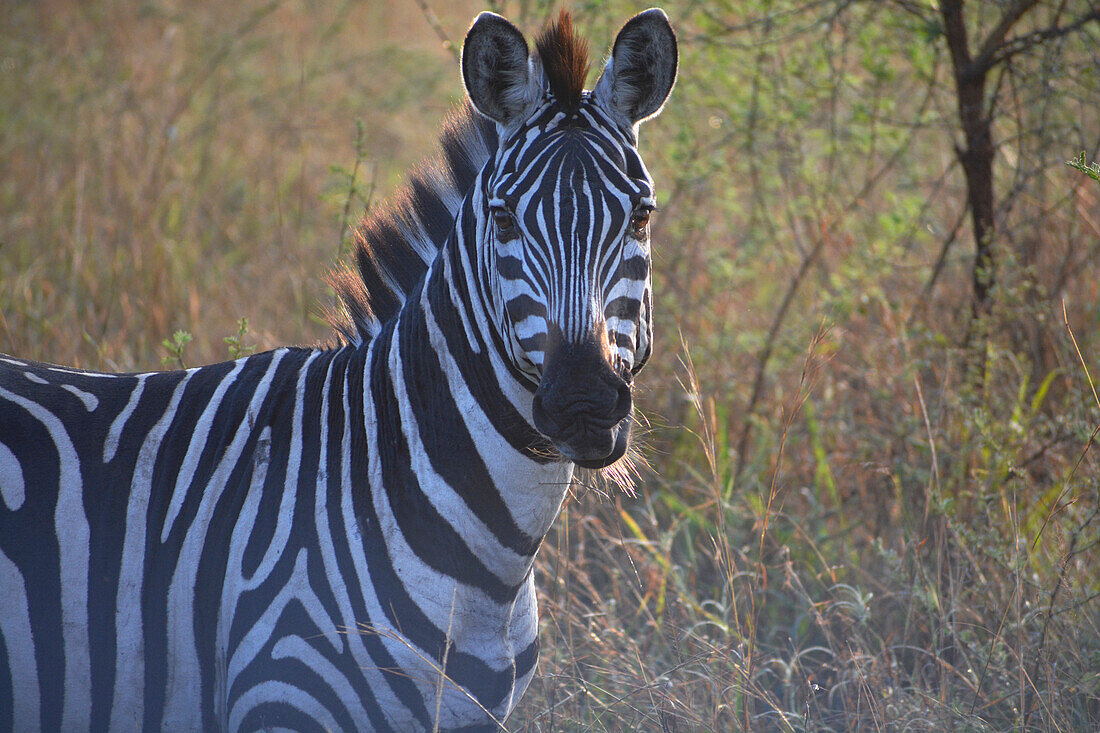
(874, 493)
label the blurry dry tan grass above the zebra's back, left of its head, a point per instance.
(170, 169)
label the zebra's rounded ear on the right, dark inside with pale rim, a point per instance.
(642, 70)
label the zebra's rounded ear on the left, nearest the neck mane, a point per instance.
(498, 72)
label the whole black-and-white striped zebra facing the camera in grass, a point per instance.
(344, 538)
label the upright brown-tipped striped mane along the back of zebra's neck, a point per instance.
(398, 243)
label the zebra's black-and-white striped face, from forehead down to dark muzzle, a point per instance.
(573, 189)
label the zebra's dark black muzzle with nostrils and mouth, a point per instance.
(584, 406)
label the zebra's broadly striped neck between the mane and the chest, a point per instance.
(461, 424)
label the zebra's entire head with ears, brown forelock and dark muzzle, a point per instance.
(565, 209)
